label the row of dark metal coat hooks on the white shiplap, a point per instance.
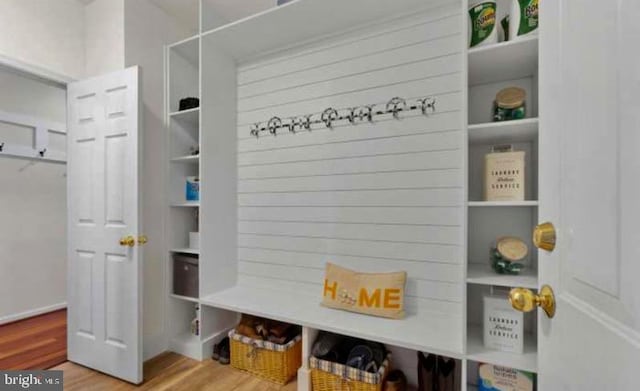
(354, 115)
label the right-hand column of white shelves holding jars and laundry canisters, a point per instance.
(490, 69)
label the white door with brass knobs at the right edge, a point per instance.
(590, 190)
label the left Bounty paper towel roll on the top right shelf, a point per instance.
(482, 23)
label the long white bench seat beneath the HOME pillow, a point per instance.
(433, 332)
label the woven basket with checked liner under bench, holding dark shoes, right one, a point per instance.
(330, 376)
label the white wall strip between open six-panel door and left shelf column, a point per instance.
(144, 46)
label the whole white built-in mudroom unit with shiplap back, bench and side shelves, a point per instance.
(395, 194)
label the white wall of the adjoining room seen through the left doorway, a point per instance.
(32, 207)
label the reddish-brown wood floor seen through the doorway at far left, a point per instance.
(35, 343)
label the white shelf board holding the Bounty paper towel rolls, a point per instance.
(503, 61)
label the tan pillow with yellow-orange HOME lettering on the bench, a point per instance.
(379, 294)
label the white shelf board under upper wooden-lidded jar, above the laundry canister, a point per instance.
(505, 132)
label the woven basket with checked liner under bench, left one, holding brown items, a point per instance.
(269, 361)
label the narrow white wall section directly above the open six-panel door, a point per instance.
(104, 36)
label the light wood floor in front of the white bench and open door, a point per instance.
(171, 371)
